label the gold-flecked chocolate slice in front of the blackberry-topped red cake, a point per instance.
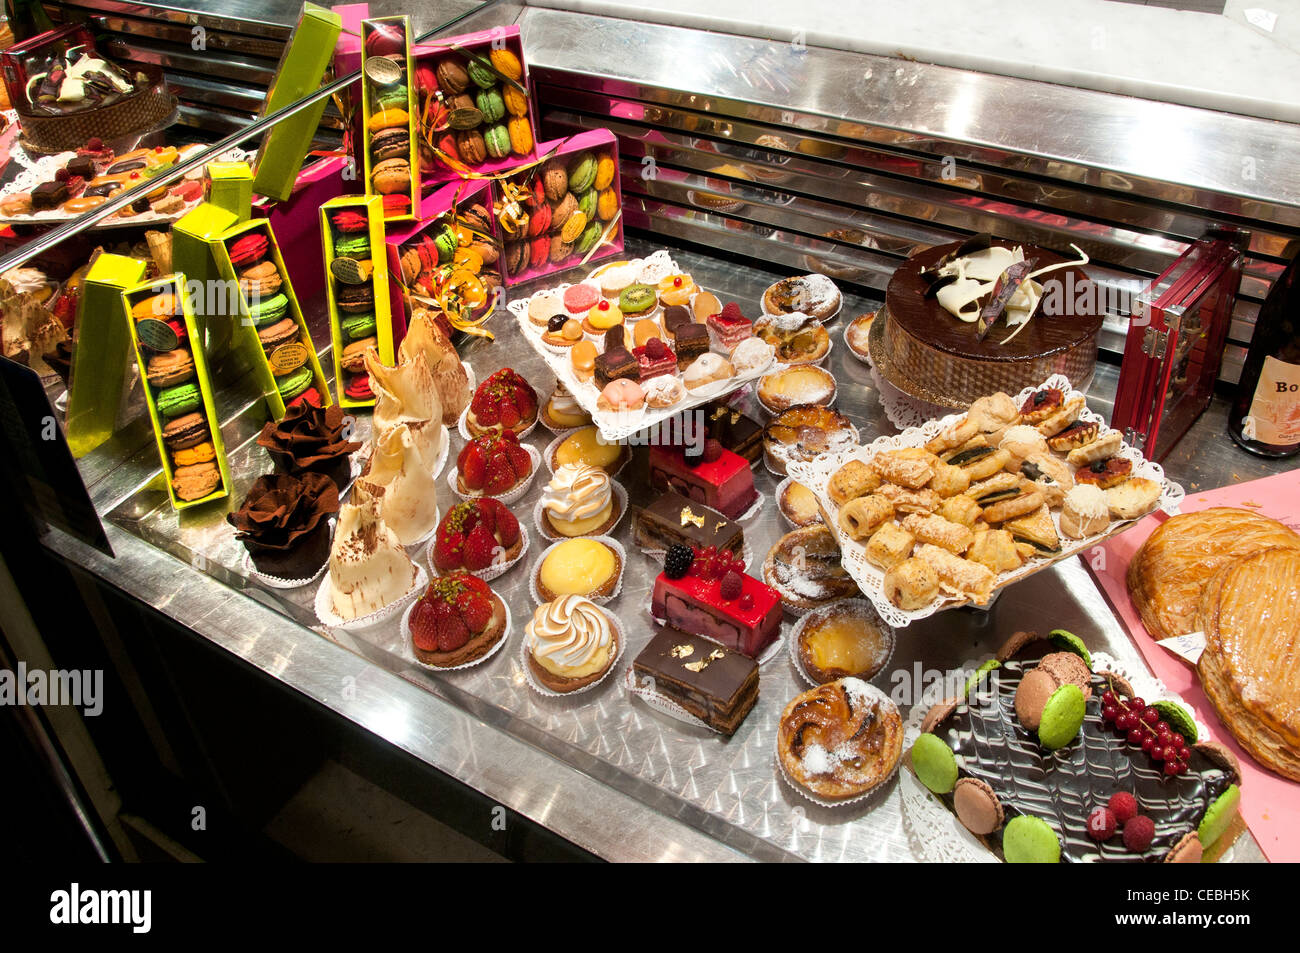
(717, 686)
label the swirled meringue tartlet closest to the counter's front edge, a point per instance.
(570, 644)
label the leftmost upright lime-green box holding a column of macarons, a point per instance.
(177, 392)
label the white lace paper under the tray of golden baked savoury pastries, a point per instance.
(817, 474)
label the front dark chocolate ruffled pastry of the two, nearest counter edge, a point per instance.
(284, 523)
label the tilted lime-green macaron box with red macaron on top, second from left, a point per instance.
(271, 320)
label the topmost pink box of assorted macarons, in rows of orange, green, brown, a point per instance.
(476, 107)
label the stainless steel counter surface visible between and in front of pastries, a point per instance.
(601, 770)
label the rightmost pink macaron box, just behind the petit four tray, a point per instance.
(580, 155)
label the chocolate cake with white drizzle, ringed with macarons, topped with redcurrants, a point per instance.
(1037, 734)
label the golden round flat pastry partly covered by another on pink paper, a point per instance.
(1171, 570)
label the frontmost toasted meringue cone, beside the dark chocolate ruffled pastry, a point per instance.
(369, 569)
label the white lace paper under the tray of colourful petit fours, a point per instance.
(619, 426)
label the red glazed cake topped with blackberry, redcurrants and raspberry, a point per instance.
(709, 595)
